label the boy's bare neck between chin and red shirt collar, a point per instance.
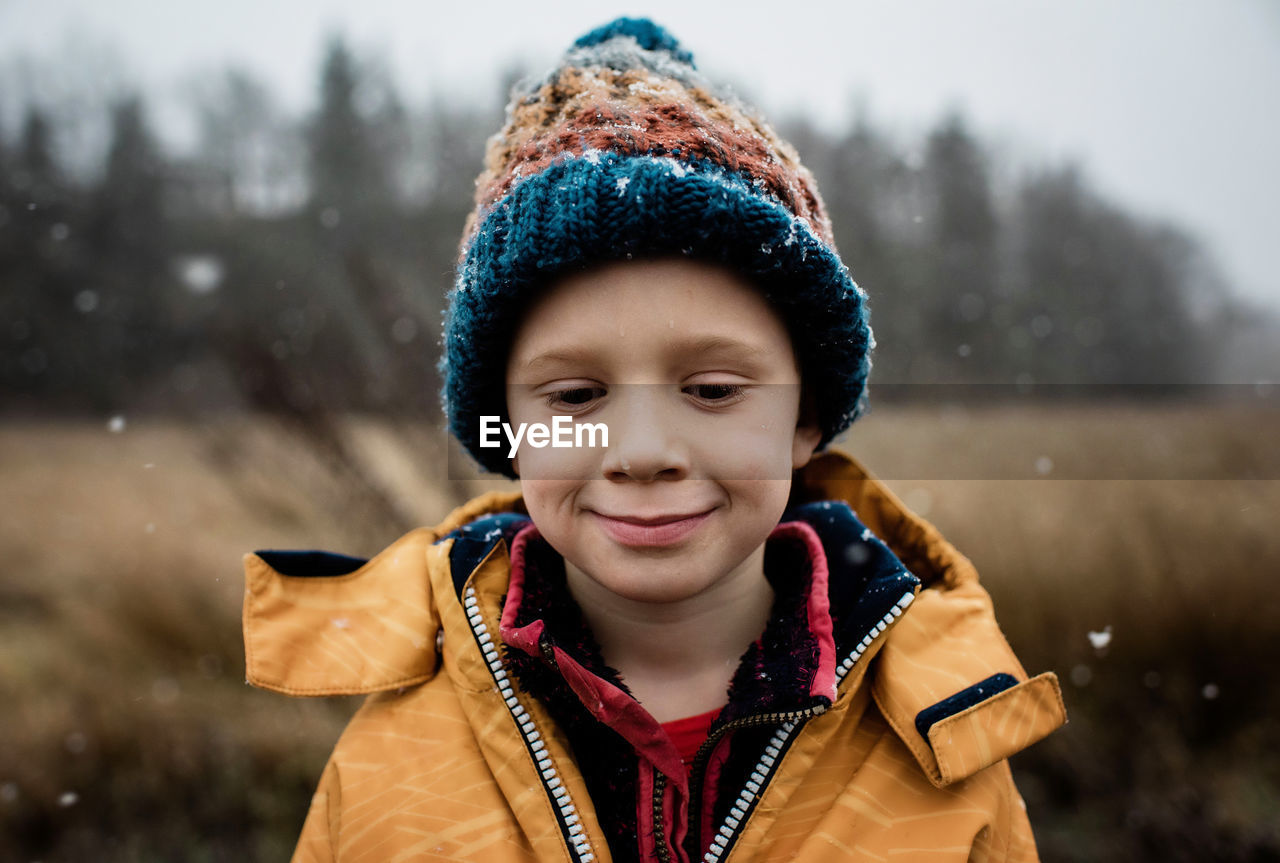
(678, 659)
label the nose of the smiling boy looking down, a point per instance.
(644, 444)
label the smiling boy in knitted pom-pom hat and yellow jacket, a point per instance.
(682, 645)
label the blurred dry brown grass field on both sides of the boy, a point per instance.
(127, 732)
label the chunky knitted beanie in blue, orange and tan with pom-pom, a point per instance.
(624, 152)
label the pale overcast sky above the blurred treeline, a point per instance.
(1171, 106)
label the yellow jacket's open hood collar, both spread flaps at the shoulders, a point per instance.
(945, 678)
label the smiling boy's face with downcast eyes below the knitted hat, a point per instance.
(696, 378)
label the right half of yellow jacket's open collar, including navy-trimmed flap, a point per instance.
(947, 679)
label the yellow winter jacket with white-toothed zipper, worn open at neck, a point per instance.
(451, 759)
